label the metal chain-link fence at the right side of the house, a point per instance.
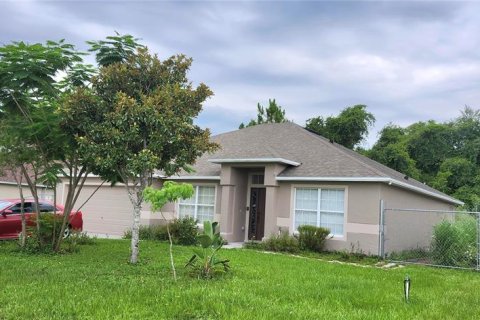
(439, 238)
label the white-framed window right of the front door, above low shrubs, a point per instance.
(321, 207)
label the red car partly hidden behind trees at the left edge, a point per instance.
(11, 219)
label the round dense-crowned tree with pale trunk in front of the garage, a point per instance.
(140, 121)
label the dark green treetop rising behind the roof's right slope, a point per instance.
(349, 128)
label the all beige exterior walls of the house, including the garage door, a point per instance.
(110, 209)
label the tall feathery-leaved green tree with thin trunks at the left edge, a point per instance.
(31, 134)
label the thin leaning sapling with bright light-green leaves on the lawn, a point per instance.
(170, 192)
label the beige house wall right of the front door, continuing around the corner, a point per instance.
(403, 230)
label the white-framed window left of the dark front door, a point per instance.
(200, 206)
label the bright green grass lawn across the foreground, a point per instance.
(98, 283)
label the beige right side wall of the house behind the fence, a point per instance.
(410, 230)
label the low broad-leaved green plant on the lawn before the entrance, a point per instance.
(205, 262)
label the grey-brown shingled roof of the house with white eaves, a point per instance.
(314, 157)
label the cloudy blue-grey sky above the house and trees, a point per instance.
(407, 61)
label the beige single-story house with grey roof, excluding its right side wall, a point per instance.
(273, 177)
